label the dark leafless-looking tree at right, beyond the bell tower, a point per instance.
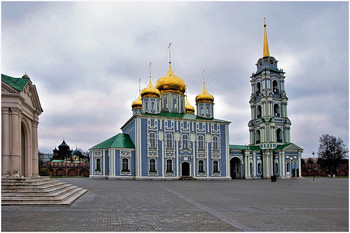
(331, 152)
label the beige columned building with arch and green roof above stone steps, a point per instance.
(20, 109)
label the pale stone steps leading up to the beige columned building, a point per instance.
(38, 191)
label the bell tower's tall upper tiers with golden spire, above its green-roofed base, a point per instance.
(269, 125)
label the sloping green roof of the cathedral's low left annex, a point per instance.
(118, 141)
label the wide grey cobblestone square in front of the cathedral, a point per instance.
(237, 205)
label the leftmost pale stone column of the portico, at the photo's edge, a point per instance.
(5, 141)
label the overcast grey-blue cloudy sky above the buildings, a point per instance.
(86, 58)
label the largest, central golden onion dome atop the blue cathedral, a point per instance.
(170, 82)
